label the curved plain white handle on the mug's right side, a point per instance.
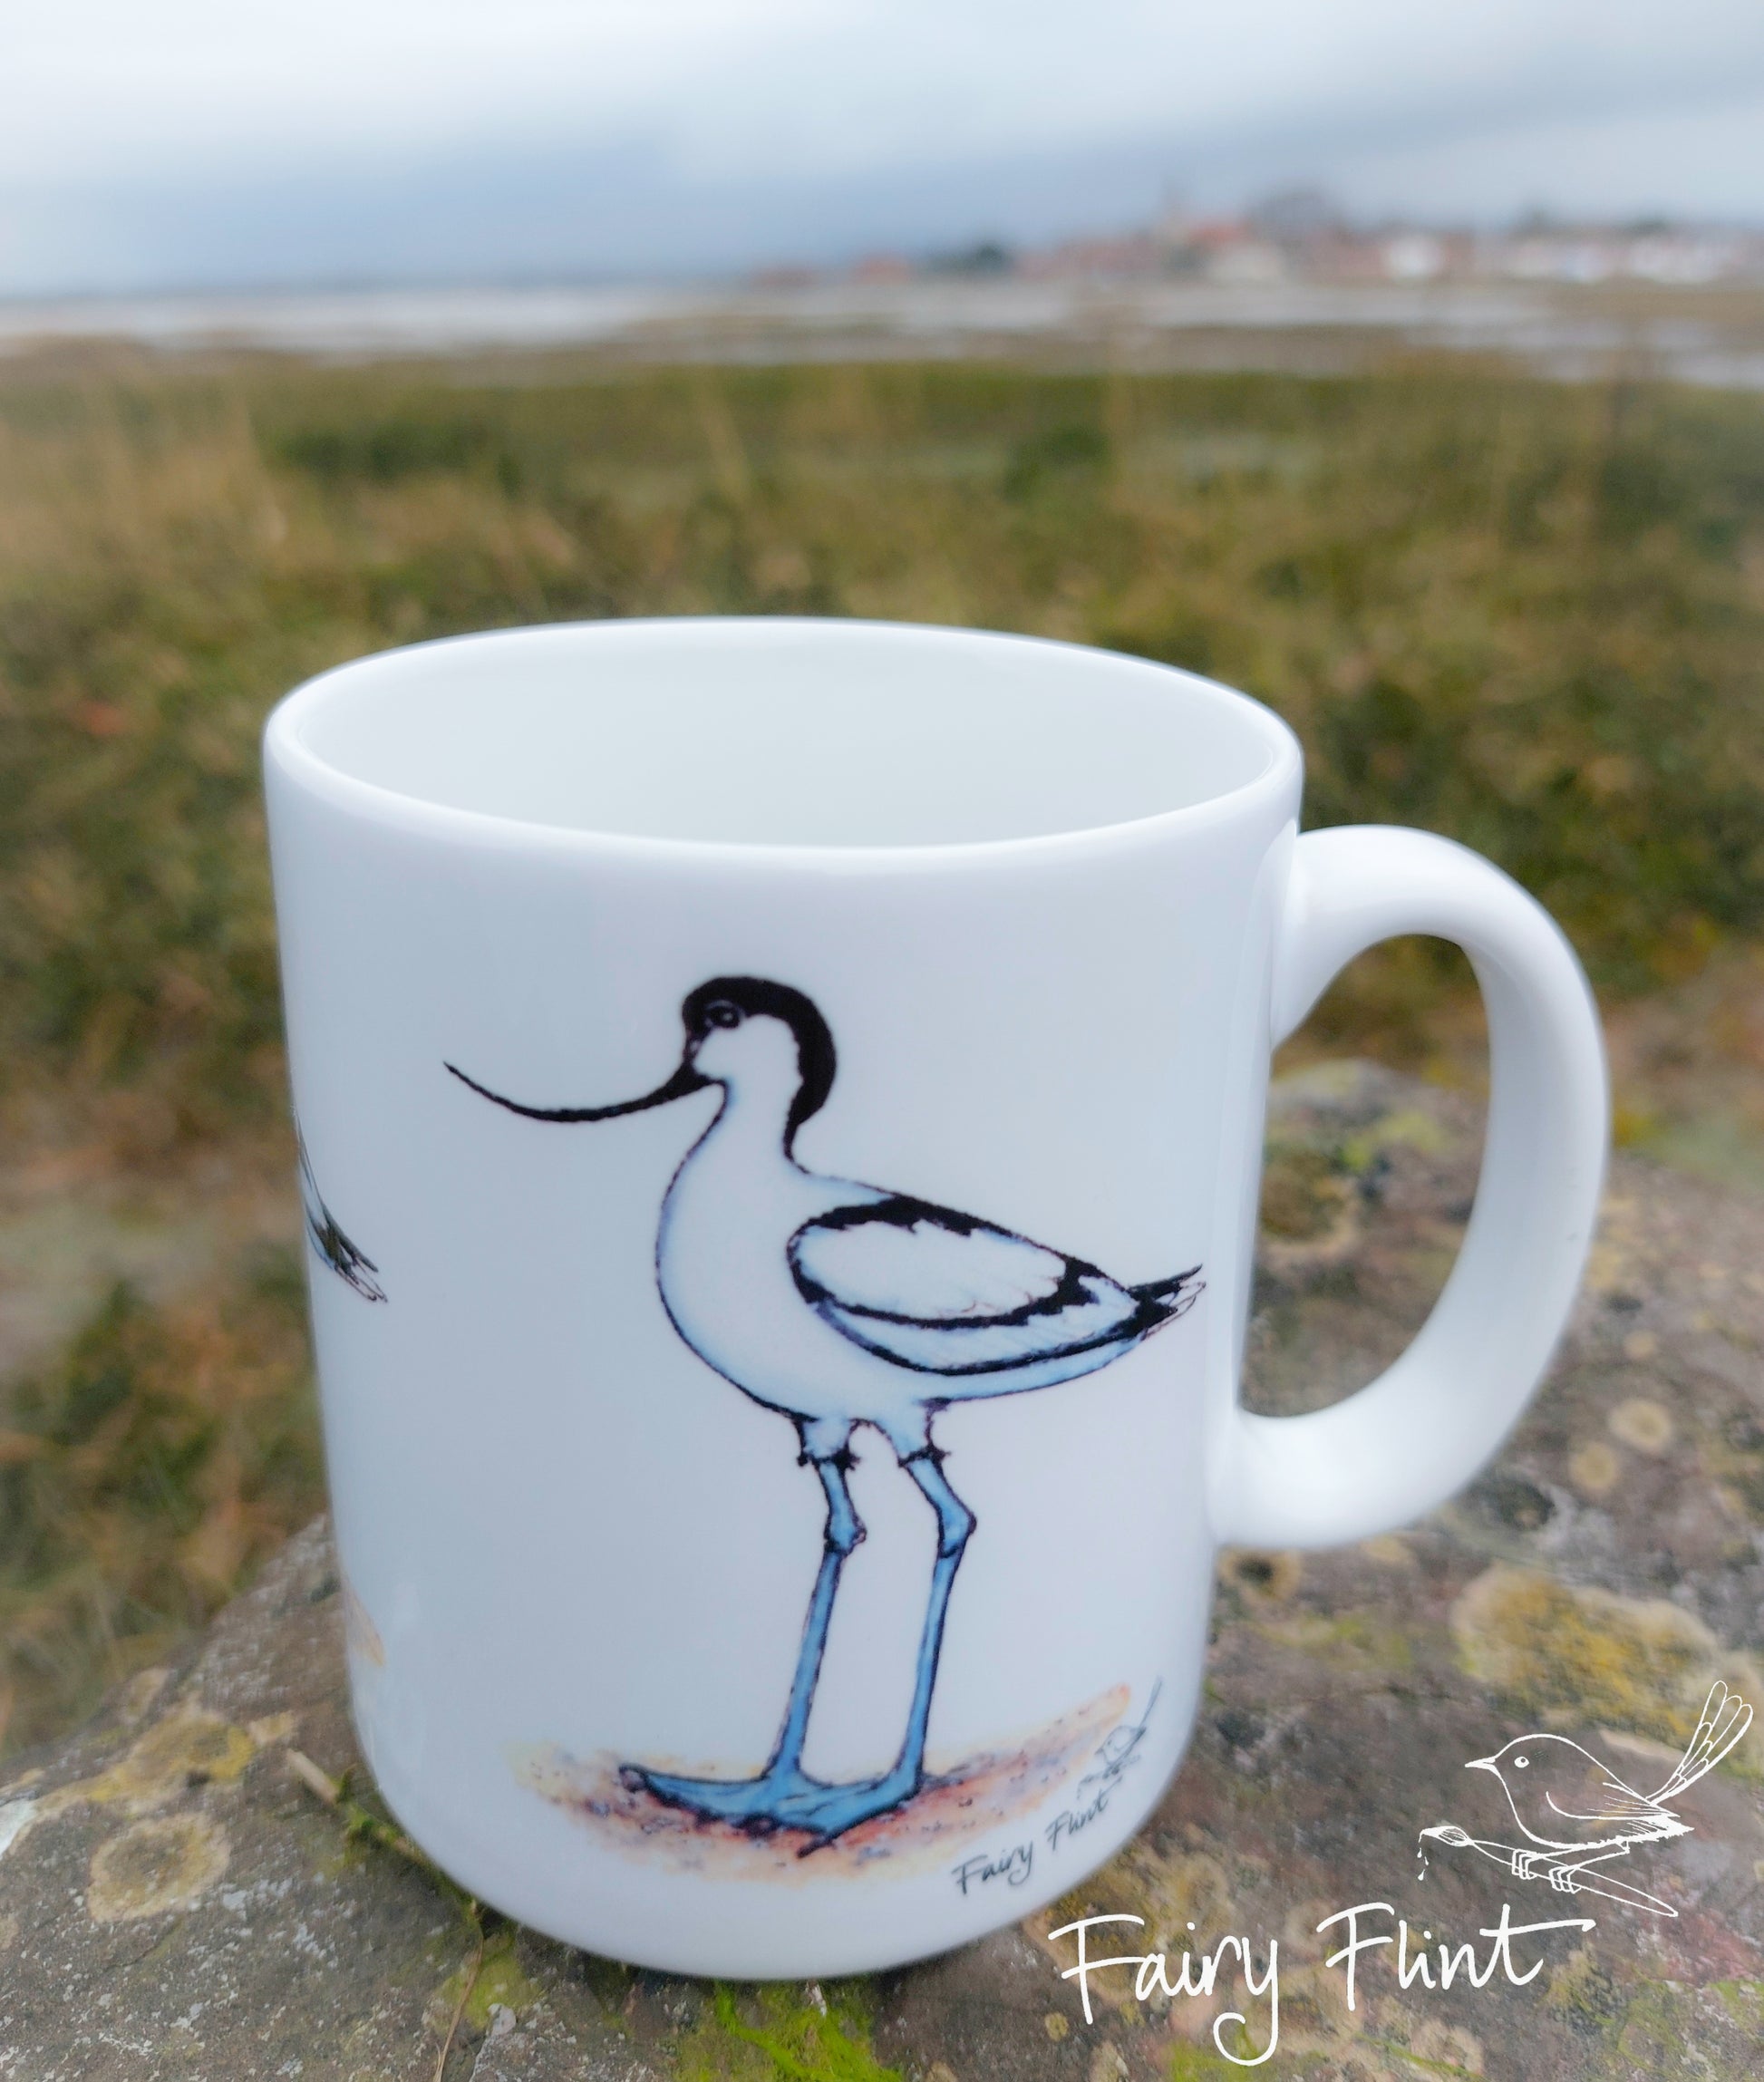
(1419, 1431)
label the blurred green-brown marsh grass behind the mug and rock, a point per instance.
(1519, 613)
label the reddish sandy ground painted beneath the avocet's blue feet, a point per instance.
(969, 1798)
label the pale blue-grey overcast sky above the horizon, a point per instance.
(234, 143)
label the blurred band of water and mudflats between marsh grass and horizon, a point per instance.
(1711, 338)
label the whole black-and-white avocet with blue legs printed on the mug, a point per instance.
(842, 1304)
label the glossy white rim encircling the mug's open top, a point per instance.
(288, 753)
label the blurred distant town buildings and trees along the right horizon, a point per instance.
(1301, 238)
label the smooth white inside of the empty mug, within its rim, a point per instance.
(786, 732)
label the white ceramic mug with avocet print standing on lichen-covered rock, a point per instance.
(782, 1117)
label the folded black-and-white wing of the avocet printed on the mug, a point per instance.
(949, 1294)
